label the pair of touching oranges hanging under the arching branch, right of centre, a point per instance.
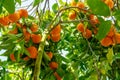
(85, 32)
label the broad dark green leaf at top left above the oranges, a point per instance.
(9, 5)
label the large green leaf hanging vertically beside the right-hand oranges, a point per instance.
(104, 28)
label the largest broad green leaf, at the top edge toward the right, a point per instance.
(99, 7)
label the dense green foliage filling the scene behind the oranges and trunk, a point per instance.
(78, 58)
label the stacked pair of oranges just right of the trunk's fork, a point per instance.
(55, 33)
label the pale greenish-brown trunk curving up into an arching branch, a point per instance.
(37, 67)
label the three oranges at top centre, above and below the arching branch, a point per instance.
(72, 15)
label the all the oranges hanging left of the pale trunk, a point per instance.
(35, 38)
